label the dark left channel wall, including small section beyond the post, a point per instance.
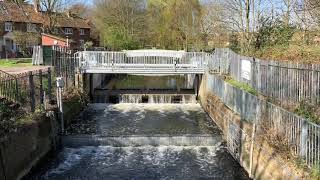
(24, 149)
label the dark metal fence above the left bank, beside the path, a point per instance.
(28, 89)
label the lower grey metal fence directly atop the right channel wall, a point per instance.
(302, 136)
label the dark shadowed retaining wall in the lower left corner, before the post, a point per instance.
(21, 150)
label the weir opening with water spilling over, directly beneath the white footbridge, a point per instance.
(143, 89)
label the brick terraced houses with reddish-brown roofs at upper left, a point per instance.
(21, 27)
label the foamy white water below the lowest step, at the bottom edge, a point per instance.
(164, 162)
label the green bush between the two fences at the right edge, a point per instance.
(308, 111)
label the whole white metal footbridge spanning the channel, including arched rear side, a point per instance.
(143, 62)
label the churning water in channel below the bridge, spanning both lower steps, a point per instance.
(145, 141)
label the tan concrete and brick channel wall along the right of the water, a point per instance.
(258, 158)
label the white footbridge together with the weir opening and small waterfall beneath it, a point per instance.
(149, 76)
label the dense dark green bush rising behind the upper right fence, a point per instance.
(273, 32)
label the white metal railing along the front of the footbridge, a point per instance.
(105, 60)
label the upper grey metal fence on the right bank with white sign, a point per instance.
(288, 83)
